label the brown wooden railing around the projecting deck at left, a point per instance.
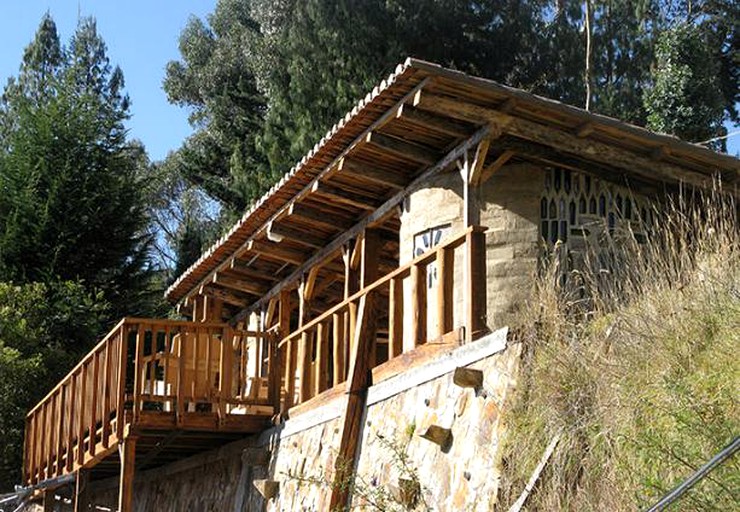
(143, 366)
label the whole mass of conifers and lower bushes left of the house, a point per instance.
(74, 243)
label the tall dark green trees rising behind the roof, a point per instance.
(264, 80)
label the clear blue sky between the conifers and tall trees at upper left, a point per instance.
(142, 37)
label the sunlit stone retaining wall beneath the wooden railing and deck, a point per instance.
(462, 475)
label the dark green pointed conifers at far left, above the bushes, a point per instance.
(71, 207)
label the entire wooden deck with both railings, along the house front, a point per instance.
(154, 391)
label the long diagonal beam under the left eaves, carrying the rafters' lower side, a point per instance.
(378, 215)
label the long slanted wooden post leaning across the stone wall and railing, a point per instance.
(358, 381)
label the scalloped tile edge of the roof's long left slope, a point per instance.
(179, 288)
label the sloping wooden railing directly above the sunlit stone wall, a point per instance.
(410, 309)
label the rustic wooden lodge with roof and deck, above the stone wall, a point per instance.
(414, 224)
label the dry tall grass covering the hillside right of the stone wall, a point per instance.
(635, 360)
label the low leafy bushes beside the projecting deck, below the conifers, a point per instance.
(44, 330)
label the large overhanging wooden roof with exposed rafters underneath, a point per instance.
(418, 119)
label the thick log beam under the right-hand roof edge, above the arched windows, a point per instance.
(562, 140)
